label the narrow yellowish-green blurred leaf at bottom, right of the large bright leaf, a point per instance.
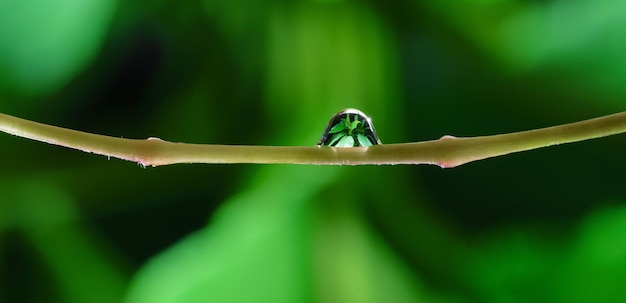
(352, 262)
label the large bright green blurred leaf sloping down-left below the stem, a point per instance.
(255, 250)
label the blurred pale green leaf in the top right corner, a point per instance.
(581, 40)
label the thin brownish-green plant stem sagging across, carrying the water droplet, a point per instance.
(446, 152)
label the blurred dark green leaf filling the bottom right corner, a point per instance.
(527, 264)
